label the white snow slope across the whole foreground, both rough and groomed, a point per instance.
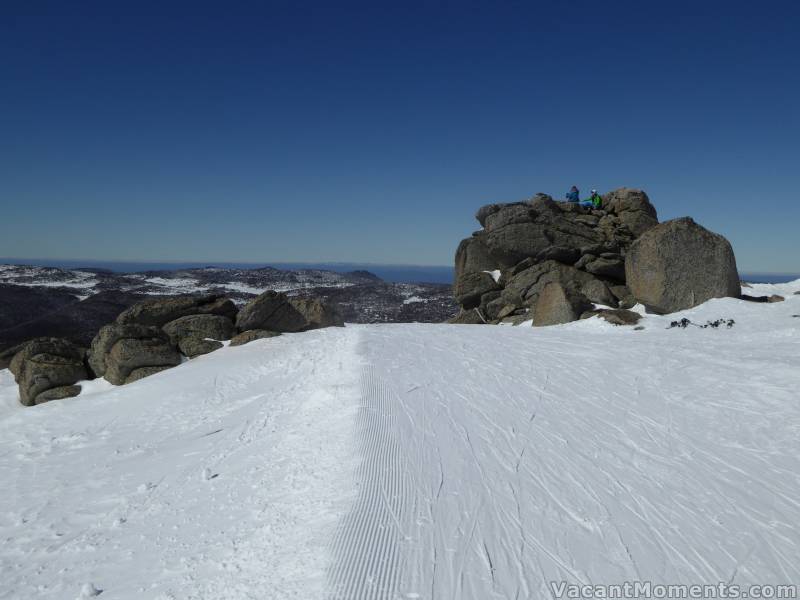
(420, 461)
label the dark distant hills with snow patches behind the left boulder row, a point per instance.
(74, 303)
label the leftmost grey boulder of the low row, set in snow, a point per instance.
(48, 369)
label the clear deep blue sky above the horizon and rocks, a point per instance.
(258, 131)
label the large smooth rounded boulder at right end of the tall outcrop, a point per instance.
(680, 264)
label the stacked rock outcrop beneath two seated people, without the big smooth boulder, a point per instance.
(501, 271)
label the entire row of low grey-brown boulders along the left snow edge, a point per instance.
(155, 335)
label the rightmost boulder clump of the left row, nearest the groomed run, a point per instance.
(275, 311)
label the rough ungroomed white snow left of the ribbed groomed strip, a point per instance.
(107, 488)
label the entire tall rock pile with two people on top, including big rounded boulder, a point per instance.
(555, 262)
